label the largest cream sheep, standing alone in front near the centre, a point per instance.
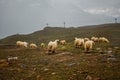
(52, 45)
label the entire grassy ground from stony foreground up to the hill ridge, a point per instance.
(68, 63)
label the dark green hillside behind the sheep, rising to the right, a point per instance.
(111, 31)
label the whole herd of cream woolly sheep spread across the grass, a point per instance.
(78, 43)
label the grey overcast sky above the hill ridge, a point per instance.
(27, 16)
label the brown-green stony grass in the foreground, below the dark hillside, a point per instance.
(35, 64)
